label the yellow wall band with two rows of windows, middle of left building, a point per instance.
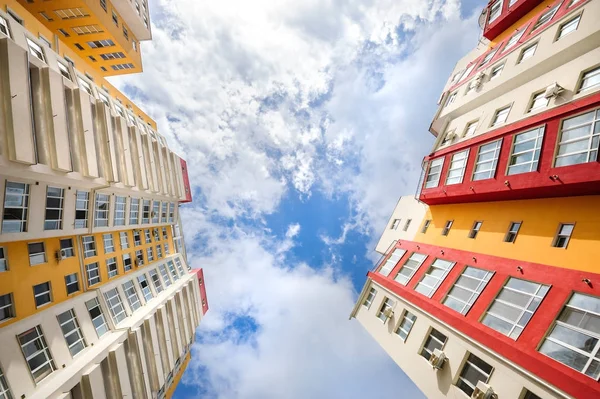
(20, 278)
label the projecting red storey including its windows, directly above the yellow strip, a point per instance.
(546, 178)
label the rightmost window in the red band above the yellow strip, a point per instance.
(578, 142)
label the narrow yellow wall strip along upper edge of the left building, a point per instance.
(36, 28)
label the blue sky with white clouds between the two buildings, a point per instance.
(302, 122)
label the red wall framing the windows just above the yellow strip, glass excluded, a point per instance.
(581, 179)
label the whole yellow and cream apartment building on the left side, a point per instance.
(97, 299)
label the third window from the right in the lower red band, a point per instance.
(467, 288)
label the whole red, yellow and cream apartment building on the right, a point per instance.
(496, 293)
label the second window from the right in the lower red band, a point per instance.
(514, 306)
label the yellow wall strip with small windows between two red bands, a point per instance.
(540, 219)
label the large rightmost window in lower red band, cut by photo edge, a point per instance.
(575, 337)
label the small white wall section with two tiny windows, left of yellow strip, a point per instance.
(406, 208)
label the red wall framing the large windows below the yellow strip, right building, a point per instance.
(522, 351)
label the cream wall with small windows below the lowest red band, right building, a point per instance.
(506, 379)
